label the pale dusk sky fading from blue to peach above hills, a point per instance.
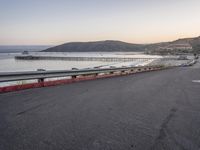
(52, 22)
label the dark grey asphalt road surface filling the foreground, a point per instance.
(148, 111)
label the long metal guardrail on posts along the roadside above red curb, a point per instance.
(41, 75)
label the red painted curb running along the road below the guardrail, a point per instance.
(65, 81)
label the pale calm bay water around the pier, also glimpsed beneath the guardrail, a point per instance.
(8, 63)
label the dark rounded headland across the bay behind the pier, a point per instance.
(100, 46)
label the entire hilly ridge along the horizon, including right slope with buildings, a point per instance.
(186, 45)
